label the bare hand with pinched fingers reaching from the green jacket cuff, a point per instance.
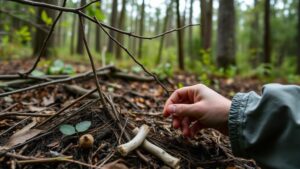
(195, 107)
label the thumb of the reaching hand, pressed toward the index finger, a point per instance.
(191, 110)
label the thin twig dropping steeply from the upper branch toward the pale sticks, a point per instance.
(92, 63)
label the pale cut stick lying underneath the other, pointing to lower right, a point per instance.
(160, 153)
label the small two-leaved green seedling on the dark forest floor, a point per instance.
(68, 129)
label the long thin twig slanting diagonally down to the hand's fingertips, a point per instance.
(133, 58)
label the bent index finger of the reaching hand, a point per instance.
(178, 96)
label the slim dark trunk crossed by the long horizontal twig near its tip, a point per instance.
(179, 39)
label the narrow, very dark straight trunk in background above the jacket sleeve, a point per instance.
(267, 44)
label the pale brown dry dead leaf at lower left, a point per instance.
(23, 135)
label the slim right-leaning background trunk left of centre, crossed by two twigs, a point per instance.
(120, 37)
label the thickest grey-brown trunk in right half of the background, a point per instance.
(226, 34)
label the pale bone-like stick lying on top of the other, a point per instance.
(124, 149)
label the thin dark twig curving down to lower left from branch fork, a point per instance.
(44, 43)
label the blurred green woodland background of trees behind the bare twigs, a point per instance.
(245, 34)
